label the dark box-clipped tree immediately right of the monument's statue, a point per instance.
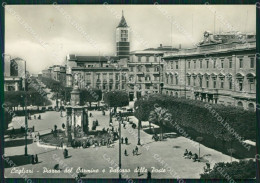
(90, 95)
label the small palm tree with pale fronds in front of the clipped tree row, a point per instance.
(160, 116)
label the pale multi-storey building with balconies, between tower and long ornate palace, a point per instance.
(145, 71)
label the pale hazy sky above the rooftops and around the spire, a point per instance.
(44, 34)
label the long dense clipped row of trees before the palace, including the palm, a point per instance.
(199, 122)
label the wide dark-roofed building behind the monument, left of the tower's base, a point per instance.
(96, 72)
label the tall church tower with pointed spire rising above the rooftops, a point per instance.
(122, 39)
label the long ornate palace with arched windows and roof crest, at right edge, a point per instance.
(220, 70)
